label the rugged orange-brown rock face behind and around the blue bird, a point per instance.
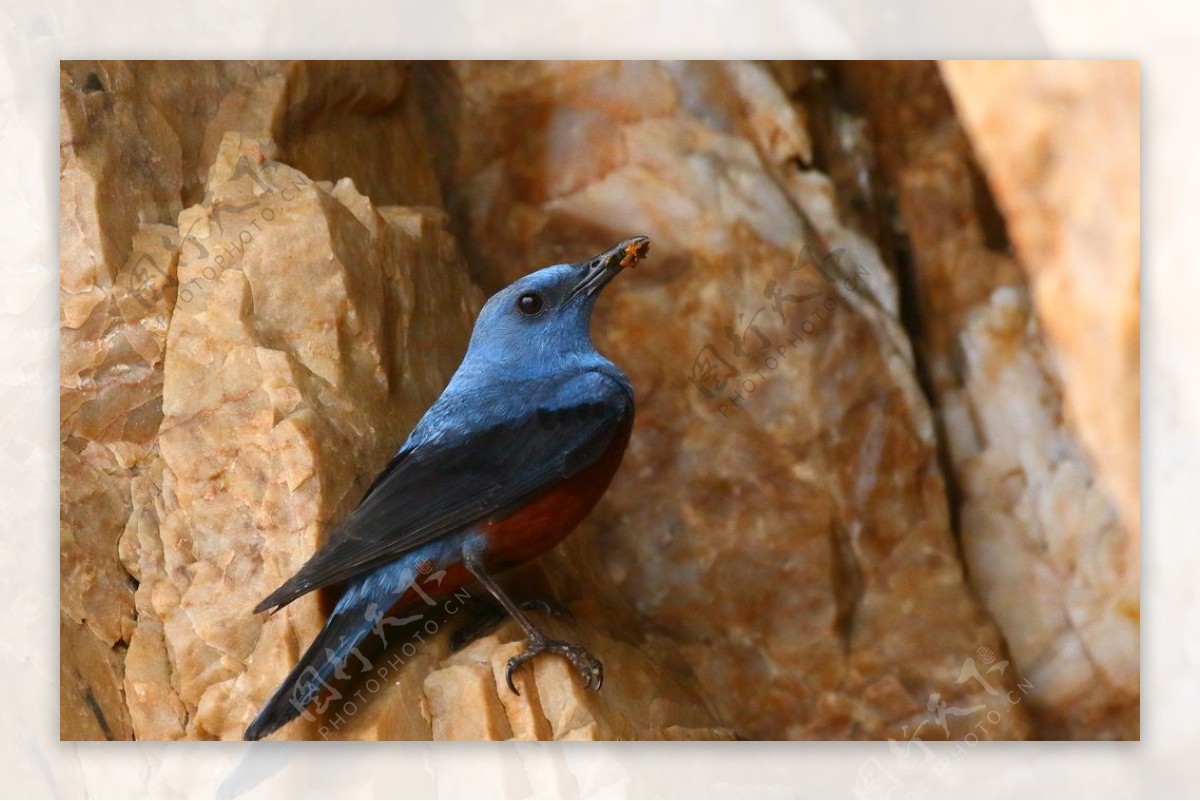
(271, 270)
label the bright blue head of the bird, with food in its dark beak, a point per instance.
(542, 321)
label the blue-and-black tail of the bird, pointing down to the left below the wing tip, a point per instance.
(334, 652)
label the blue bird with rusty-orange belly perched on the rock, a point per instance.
(514, 454)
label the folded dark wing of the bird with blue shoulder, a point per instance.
(441, 487)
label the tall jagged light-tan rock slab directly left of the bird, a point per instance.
(289, 372)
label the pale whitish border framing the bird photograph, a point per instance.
(37, 35)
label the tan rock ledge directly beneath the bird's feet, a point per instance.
(467, 698)
